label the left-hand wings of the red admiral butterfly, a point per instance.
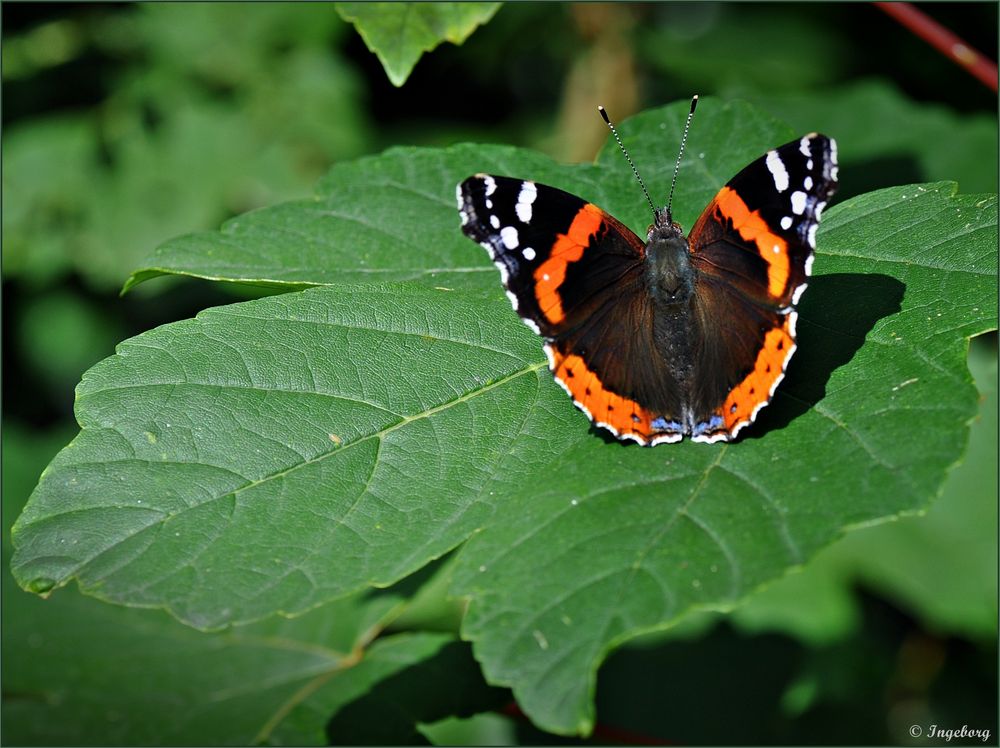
(574, 275)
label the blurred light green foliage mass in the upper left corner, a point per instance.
(164, 153)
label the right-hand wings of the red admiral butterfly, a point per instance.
(752, 249)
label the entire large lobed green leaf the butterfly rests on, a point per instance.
(275, 454)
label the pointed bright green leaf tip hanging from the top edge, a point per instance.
(400, 33)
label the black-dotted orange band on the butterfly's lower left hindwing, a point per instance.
(625, 417)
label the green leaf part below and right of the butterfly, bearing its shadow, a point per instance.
(873, 413)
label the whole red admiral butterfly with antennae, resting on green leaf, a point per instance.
(674, 336)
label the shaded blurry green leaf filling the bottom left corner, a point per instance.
(78, 672)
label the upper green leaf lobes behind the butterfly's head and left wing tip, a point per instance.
(393, 217)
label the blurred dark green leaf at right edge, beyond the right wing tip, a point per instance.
(885, 137)
